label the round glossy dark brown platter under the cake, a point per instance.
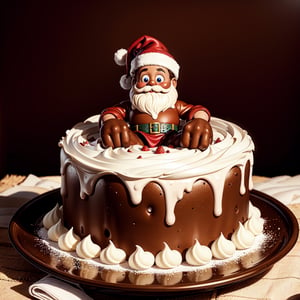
(280, 231)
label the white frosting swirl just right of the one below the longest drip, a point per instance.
(198, 255)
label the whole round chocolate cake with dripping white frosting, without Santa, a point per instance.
(147, 201)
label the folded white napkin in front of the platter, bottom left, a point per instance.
(50, 288)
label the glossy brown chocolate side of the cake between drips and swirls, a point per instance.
(108, 213)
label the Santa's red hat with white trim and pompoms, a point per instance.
(144, 51)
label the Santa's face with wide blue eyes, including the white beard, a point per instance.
(154, 91)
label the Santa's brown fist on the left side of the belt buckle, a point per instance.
(116, 133)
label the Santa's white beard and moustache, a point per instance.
(153, 103)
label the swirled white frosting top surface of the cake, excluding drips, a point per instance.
(231, 144)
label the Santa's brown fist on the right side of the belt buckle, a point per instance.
(196, 134)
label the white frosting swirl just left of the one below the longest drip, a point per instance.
(140, 259)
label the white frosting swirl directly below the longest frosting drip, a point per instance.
(167, 258)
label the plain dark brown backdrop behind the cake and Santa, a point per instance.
(239, 58)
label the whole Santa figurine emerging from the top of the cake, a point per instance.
(153, 116)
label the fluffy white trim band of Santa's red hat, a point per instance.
(154, 58)
